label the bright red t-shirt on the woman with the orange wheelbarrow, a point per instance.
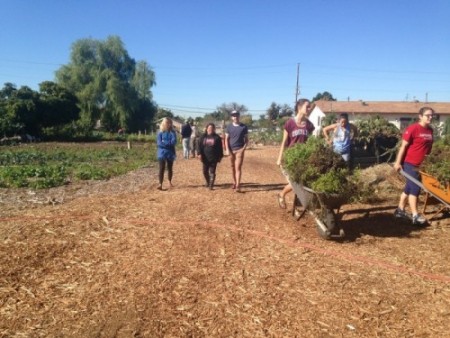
(420, 141)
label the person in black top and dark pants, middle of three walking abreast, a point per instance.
(210, 153)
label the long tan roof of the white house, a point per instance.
(381, 107)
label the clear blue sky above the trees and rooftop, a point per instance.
(209, 52)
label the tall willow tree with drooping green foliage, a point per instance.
(110, 85)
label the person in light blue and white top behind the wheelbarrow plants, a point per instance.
(343, 132)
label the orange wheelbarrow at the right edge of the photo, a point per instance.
(433, 188)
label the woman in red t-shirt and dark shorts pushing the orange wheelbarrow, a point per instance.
(417, 141)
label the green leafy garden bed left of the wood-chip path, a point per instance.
(47, 165)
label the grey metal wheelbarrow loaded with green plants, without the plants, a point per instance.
(323, 207)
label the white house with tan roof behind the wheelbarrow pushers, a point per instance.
(401, 114)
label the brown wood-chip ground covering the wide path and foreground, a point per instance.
(122, 259)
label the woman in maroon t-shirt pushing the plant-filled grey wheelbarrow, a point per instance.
(296, 130)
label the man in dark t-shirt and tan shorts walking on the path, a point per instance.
(236, 141)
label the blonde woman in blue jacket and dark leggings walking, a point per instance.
(166, 141)
